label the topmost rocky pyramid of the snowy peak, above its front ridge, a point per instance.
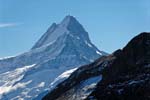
(69, 25)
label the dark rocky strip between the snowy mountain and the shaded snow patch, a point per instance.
(77, 77)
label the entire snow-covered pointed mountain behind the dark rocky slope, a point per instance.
(61, 50)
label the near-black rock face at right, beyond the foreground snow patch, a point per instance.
(128, 77)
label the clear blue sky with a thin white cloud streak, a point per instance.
(110, 23)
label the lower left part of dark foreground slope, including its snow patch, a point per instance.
(80, 80)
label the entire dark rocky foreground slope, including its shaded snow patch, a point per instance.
(125, 75)
